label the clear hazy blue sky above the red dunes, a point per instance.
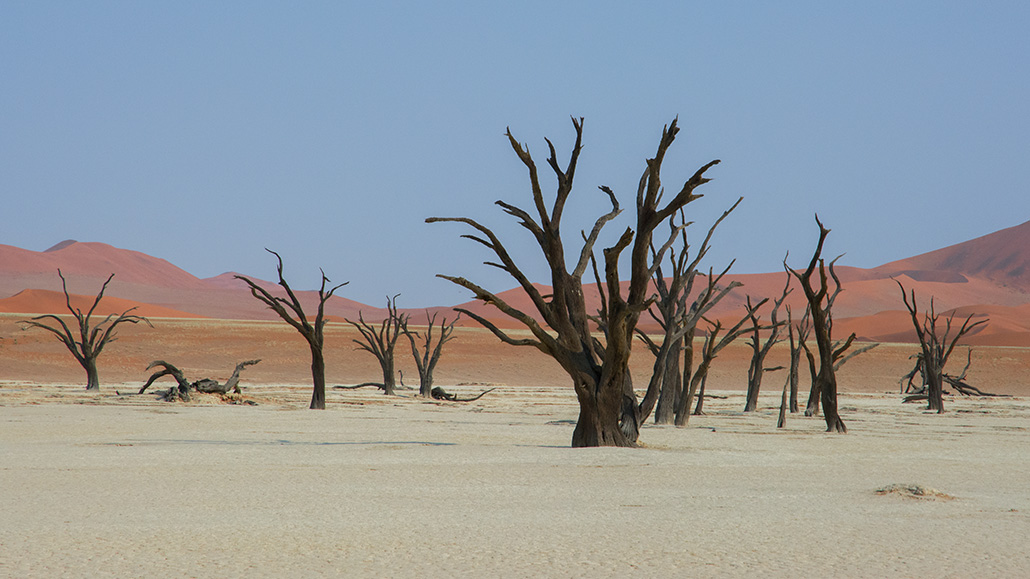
(204, 132)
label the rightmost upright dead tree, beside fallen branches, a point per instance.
(935, 347)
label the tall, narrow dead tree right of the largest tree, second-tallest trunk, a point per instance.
(820, 302)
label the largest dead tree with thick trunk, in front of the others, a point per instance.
(600, 370)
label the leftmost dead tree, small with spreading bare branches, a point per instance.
(92, 339)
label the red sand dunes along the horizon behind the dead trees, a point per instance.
(989, 276)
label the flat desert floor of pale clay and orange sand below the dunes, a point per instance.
(120, 485)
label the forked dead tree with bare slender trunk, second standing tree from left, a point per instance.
(293, 314)
